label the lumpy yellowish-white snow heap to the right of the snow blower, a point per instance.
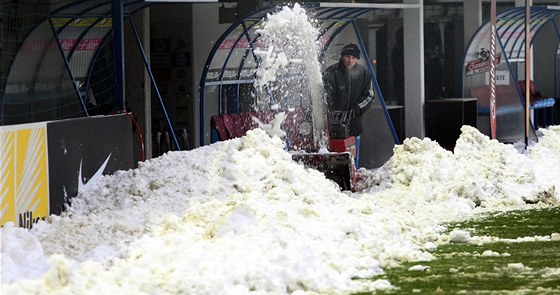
(485, 172)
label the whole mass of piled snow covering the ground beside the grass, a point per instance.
(240, 217)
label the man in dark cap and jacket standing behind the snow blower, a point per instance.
(349, 88)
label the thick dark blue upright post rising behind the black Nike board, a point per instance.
(118, 43)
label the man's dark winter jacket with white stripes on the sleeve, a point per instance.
(347, 90)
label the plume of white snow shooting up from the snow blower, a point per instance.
(289, 72)
